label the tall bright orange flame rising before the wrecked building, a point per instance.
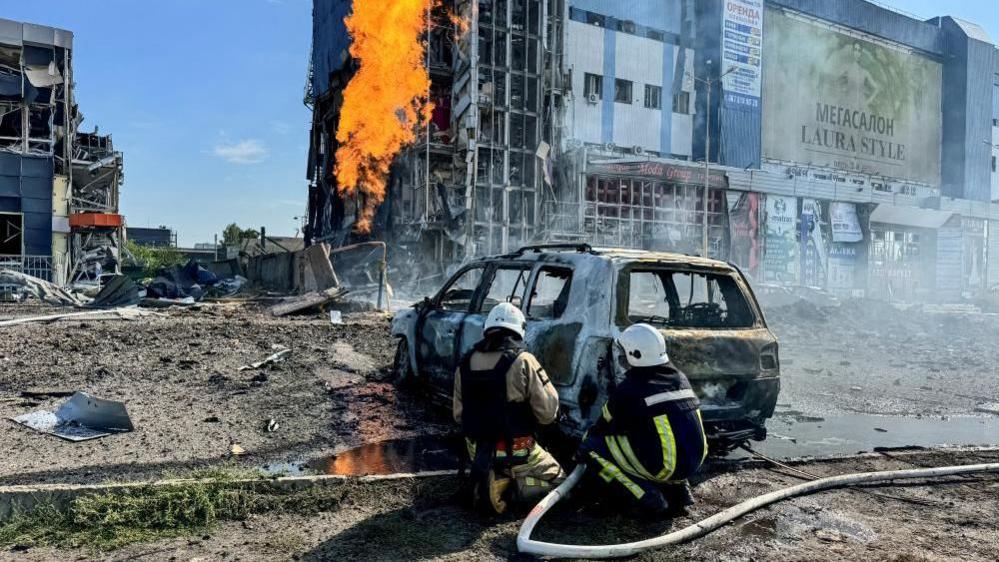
(385, 101)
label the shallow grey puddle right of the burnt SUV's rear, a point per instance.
(839, 435)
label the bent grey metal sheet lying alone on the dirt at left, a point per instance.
(81, 418)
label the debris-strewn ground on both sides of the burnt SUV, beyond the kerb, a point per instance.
(179, 376)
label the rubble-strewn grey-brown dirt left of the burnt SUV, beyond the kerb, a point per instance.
(180, 380)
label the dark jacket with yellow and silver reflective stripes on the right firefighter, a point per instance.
(651, 425)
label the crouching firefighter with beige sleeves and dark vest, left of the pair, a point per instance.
(501, 396)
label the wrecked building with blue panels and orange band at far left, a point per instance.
(59, 186)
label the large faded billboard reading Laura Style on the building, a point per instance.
(833, 100)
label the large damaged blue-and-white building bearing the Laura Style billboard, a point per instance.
(849, 147)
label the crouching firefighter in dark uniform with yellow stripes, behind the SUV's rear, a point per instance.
(650, 436)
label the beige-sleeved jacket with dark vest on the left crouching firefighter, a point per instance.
(501, 395)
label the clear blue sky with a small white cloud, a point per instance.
(204, 97)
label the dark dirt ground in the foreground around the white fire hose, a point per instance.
(953, 519)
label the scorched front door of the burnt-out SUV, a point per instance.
(438, 331)
